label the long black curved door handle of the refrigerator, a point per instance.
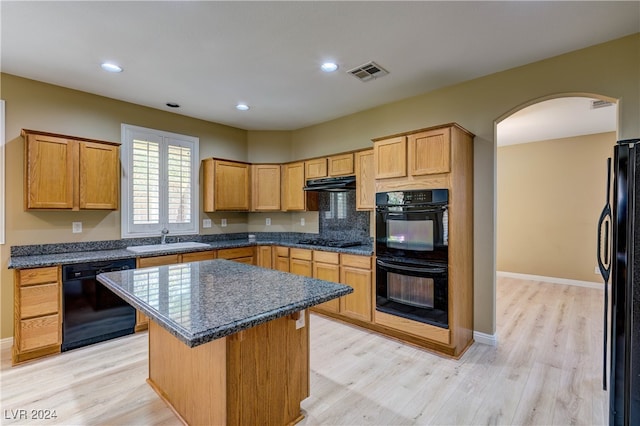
(604, 265)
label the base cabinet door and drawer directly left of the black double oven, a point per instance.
(359, 303)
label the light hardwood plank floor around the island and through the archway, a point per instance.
(545, 371)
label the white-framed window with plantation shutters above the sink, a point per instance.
(159, 183)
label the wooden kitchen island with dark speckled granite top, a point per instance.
(228, 342)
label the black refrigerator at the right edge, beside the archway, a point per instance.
(620, 262)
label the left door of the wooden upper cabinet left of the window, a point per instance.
(49, 172)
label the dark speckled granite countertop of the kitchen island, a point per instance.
(202, 301)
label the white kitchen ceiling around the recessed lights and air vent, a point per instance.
(208, 56)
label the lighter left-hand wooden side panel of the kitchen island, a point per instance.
(192, 381)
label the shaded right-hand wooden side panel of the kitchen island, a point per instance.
(268, 372)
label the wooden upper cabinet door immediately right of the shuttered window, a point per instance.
(231, 186)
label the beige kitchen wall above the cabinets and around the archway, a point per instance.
(610, 69)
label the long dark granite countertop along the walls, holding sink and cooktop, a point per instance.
(98, 251)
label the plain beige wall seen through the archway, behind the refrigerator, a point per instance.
(550, 194)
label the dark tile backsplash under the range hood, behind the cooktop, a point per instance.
(339, 219)
